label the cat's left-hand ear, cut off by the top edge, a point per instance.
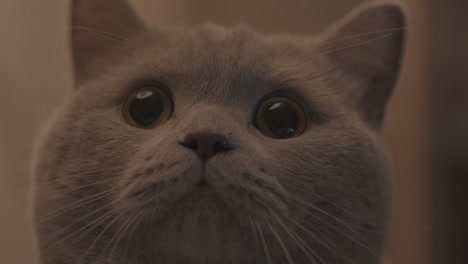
(100, 28)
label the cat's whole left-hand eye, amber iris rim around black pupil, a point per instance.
(147, 107)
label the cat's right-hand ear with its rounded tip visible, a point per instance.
(367, 45)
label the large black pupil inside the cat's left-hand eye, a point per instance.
(146, 108)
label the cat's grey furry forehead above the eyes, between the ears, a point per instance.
(227, 63)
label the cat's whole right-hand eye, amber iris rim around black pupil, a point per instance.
(281, 117)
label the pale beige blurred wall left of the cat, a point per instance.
(33, 79)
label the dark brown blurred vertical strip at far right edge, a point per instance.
(449, 100)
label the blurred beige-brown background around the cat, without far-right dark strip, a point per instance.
(35, 76)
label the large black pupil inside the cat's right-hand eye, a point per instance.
(281, 119)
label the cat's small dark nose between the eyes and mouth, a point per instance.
(206, 145)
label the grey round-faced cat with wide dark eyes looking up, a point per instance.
(219, 145)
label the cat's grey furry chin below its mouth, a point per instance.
(200, 226)
